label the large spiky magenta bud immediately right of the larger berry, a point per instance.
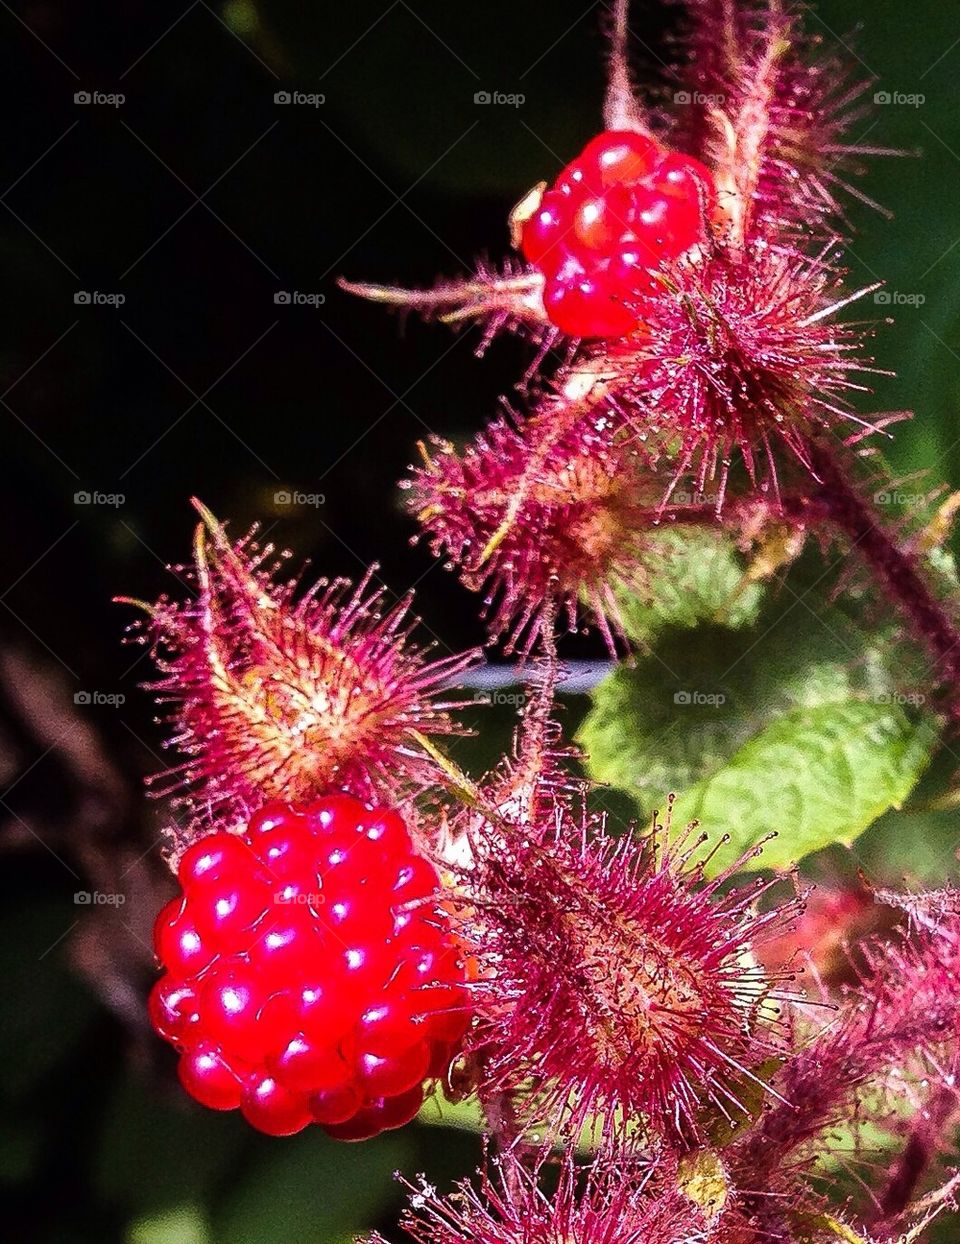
(616, 981)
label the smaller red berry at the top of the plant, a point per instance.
(612, 218)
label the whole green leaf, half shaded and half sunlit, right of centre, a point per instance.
(801, 723)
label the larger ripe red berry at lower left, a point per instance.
(312, 973)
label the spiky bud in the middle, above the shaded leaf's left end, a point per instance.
(554, 512)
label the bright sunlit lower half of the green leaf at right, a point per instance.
(815, 777)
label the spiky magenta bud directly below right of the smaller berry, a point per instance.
(745, 355)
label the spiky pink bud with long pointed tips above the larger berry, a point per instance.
(288, 694)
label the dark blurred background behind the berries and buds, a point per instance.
(156, 201)
